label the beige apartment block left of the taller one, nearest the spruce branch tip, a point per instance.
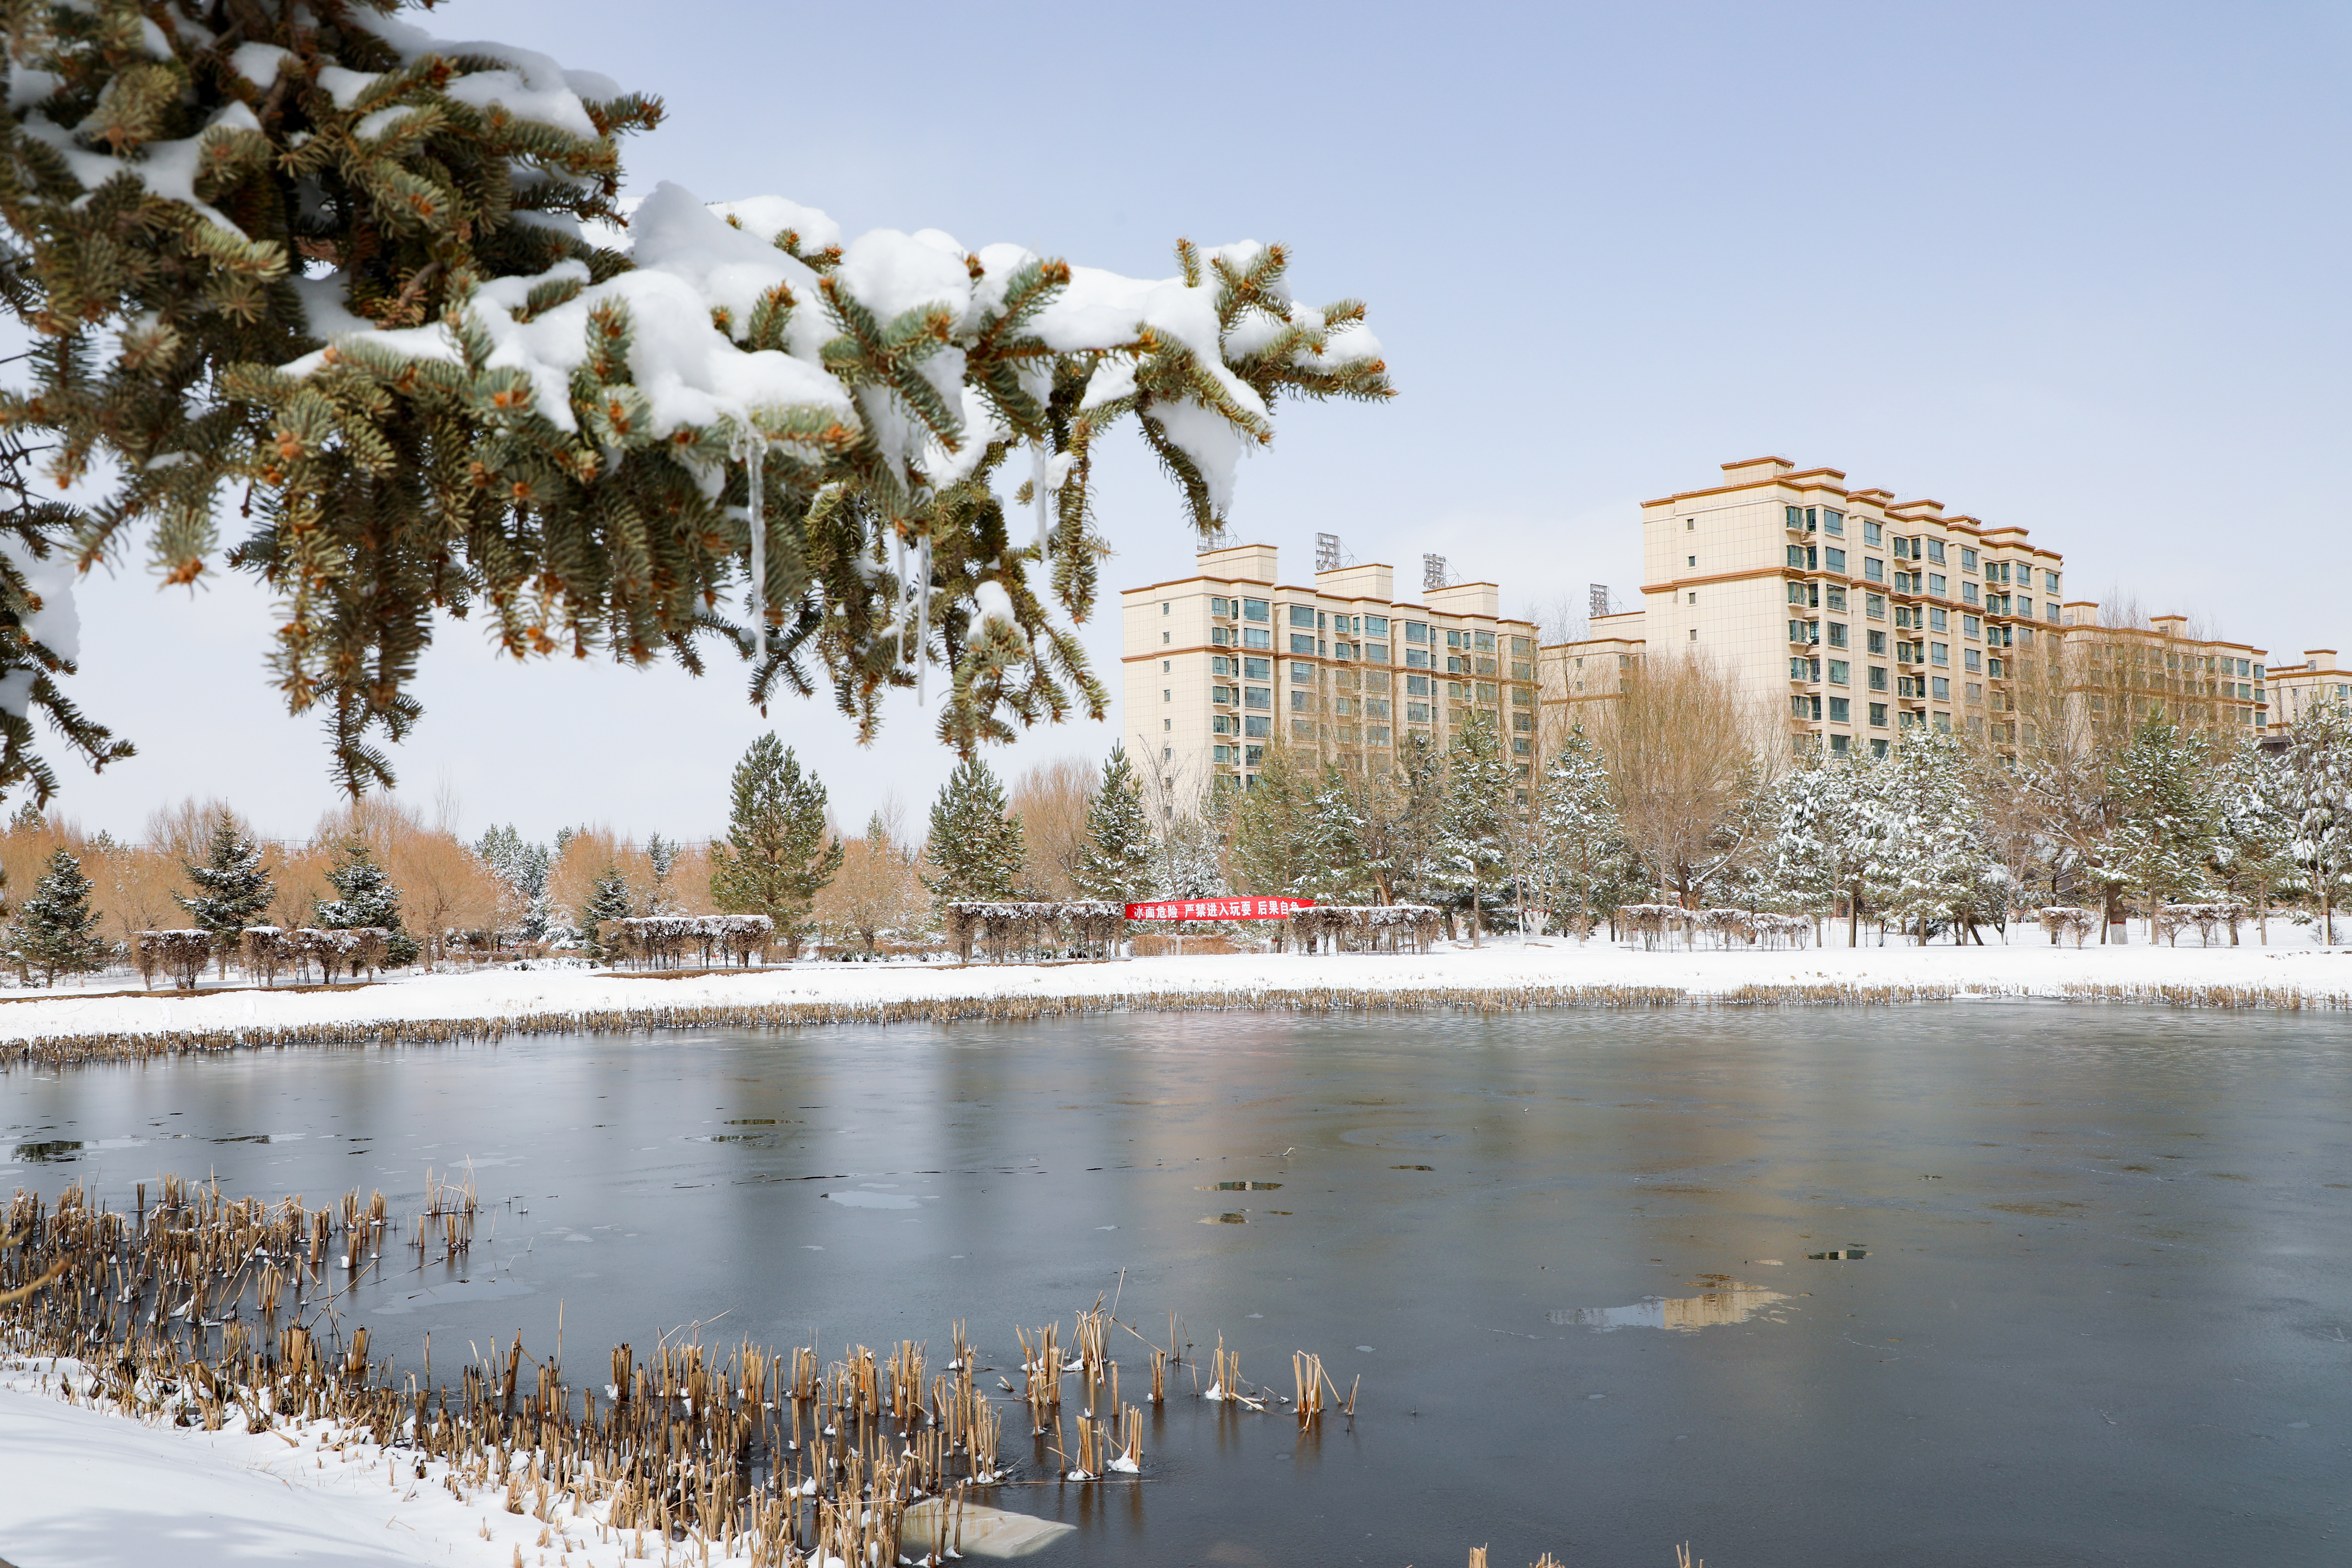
(1231, 662)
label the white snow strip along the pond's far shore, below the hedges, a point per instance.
(2026, 970)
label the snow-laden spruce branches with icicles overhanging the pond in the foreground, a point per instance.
(323, 309)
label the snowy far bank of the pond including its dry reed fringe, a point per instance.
(1506, 972)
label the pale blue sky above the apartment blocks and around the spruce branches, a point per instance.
(2062, 267)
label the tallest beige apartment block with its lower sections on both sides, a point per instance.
(1852, 615)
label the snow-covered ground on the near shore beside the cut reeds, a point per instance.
(93, 1489)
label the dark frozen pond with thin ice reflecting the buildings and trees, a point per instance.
(2083, 1289)
